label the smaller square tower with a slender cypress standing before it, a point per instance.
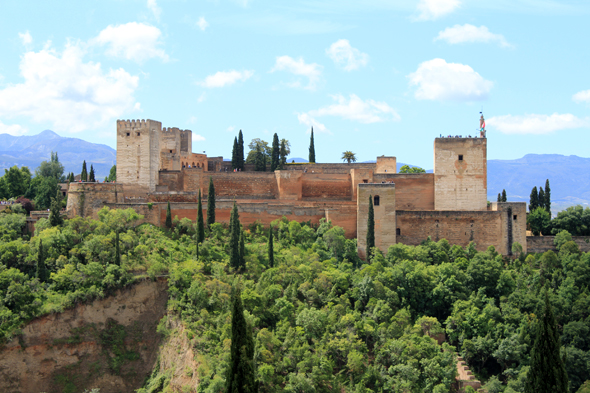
(383, 196)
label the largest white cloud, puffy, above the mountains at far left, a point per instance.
(71, 94)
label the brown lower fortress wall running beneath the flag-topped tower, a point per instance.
(482, 227)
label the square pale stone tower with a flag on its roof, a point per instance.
(460, 174)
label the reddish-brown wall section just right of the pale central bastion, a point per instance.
(324, 186)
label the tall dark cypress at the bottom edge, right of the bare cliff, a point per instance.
(241, 371)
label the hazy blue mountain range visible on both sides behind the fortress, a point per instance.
(569, 176)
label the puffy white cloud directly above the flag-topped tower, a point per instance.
(438, 80)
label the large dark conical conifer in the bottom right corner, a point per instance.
(547, 373)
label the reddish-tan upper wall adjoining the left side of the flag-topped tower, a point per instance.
(412, 191)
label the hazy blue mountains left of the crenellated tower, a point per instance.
(32, 150)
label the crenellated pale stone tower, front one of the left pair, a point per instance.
(138, 152)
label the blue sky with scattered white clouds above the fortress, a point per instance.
(373, 76)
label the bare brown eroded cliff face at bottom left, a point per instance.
(111, 344)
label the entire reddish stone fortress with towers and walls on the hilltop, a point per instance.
(156, 165)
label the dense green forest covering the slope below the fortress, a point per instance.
(322, 320)
